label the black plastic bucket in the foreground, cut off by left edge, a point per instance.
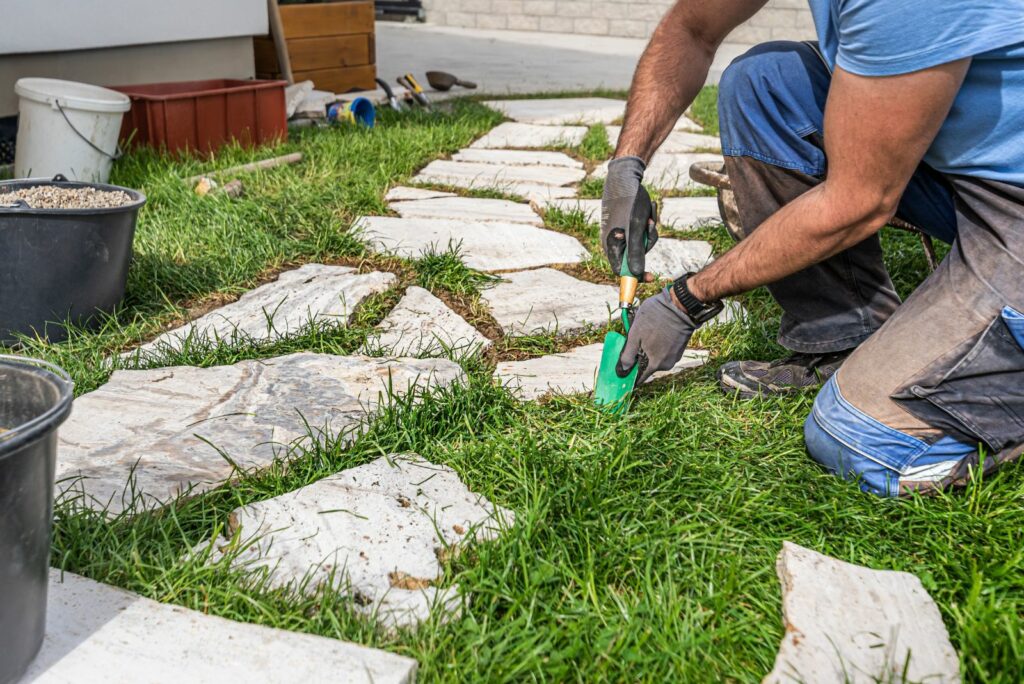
(35, 400)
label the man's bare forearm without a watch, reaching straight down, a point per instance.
(674, 68)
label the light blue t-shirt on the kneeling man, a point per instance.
(984, 136)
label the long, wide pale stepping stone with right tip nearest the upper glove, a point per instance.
(484, 246)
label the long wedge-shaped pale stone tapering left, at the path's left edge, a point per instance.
(314, 293)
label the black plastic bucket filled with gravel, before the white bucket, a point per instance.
(62, 265)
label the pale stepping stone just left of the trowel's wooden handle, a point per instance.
(547, 301)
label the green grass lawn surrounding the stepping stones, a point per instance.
(645, 545)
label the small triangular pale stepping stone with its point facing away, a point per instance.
(421, 324)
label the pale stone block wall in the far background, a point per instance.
(780, 20)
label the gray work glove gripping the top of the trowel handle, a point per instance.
(621, 191)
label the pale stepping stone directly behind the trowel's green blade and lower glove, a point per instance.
(572, 373)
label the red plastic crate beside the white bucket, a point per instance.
(203, 116)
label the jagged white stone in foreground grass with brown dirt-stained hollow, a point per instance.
(382, 529)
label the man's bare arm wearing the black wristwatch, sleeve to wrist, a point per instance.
(877, 132)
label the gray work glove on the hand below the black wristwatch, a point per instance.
(658, 337)
